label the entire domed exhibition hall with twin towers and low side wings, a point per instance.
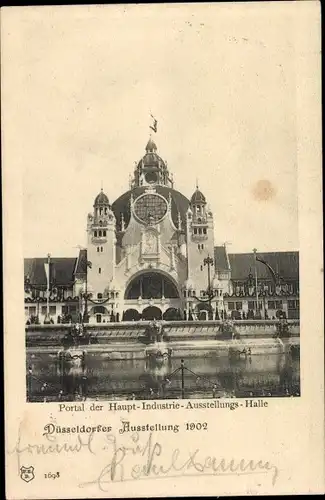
(151, 255)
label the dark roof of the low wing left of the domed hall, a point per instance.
(62, 270)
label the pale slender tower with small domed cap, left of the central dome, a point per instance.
(101, 245)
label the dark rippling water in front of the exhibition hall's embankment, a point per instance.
(206, 375)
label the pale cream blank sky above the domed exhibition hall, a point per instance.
(219, 79)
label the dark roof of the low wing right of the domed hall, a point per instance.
(284, 263)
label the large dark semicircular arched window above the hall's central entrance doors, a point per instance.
(151, 285)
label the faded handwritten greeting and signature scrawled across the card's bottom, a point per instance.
(144, 460)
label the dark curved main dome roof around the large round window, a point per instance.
(179, 203)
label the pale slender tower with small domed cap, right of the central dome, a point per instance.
(200, 241)
